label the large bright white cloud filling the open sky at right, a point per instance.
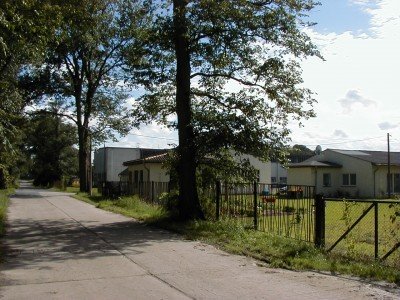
(364, 67)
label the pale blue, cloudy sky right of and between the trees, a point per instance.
(356, 85)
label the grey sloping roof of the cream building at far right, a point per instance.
(374, 157)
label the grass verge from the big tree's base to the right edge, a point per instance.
(279, 252)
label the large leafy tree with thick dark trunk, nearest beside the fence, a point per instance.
(229, 70)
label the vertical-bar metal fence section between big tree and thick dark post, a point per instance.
(282, 210)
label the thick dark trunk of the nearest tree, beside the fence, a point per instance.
(189, 206)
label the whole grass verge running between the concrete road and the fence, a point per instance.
(235, 238)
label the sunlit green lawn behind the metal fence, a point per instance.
(294, 218)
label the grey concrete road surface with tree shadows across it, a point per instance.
(61, 248)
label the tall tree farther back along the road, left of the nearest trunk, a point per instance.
(85, 69)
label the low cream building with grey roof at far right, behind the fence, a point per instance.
(349, 173)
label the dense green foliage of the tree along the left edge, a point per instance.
(25, 27)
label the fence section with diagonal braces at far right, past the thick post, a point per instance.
(363, 228)
